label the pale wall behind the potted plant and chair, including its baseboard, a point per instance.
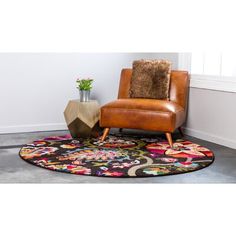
(35, 87)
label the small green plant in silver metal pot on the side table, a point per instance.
(84, 86)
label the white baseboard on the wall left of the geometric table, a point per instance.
(32, 128)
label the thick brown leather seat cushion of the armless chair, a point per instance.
(148, 114)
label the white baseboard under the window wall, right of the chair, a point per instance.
(209, 137)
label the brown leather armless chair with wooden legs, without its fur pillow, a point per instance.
(147, 114)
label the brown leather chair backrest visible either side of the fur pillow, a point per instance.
(179, 86)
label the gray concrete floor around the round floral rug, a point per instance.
(14, 170)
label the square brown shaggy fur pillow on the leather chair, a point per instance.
(150, 79)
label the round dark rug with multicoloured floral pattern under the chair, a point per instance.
(117, 156)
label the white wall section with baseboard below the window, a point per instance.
(212, 116)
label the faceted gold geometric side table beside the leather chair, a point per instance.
(82, 118)
